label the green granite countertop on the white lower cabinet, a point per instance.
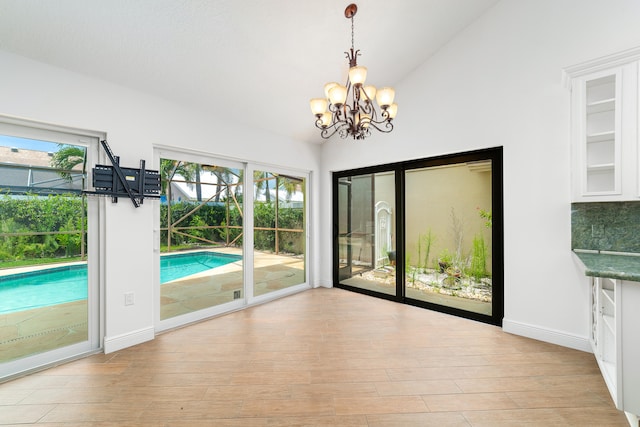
(613, 266)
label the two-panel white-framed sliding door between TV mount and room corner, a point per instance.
(229, 234)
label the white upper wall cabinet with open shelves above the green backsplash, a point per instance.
(604, 122)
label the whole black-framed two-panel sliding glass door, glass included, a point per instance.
(426, 232)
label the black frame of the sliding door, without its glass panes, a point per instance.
(497, 230)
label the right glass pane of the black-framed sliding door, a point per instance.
(448, 236)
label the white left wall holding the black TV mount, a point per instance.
(134, 122)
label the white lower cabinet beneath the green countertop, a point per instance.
(615, 339)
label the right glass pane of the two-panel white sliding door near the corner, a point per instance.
(279, 232)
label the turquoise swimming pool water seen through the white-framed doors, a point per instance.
(59, 285)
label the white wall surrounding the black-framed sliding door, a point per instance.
(499, 83)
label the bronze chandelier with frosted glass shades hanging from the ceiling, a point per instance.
(349, 110)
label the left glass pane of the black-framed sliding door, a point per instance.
(366, 224)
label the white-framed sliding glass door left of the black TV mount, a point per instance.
(49, 283)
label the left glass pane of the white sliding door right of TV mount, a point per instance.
(200, 237)
